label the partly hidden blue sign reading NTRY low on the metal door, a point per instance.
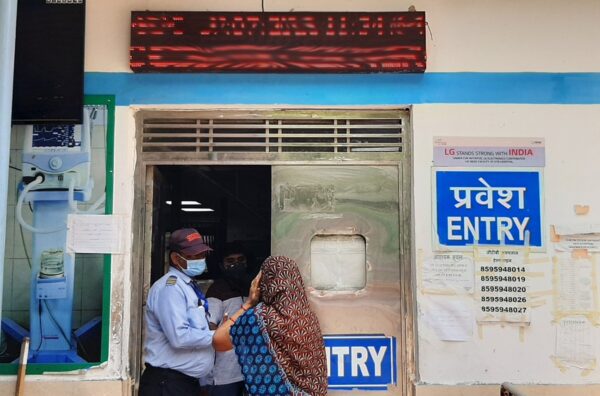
(365, 362)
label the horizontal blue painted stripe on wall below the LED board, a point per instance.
(347, 89)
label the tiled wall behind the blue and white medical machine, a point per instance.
(87, 300)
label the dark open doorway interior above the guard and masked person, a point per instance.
(224, 203)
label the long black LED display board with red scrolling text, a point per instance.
(335, 42)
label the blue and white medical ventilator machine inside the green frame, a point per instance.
(56, 175)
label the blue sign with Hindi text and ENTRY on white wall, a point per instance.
(488, 207)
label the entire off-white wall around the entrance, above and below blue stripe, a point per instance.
(468, 35)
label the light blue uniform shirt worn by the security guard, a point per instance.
(177, 333)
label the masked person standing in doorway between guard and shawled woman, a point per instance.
(226, 296)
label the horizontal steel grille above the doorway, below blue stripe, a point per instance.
(274, 131)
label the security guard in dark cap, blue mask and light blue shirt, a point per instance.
(178, 345)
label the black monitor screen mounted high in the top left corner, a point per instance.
(49, 55)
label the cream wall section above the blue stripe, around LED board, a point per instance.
(468, 35)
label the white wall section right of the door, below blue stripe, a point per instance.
(501, 353)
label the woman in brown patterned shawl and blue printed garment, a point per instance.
(278, 341)
